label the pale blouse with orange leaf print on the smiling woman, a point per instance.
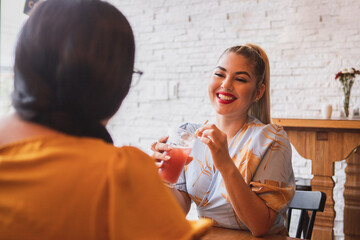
(262, 154)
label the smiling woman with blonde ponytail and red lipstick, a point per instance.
(241, 175)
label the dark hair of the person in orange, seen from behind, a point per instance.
(73, 65)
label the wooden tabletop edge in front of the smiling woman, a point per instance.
(216, 233)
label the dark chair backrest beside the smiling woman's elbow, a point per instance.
(306, 201)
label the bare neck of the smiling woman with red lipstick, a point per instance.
(230, 125)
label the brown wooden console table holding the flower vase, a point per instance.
(325, 142)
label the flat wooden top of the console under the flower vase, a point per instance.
(318, 123)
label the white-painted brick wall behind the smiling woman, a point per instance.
(178, 43)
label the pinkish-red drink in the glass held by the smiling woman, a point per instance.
(171, 169)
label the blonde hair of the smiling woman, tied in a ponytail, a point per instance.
(257, 56)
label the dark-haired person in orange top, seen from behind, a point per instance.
(60, 176)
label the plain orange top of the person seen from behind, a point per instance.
(83, 188)
